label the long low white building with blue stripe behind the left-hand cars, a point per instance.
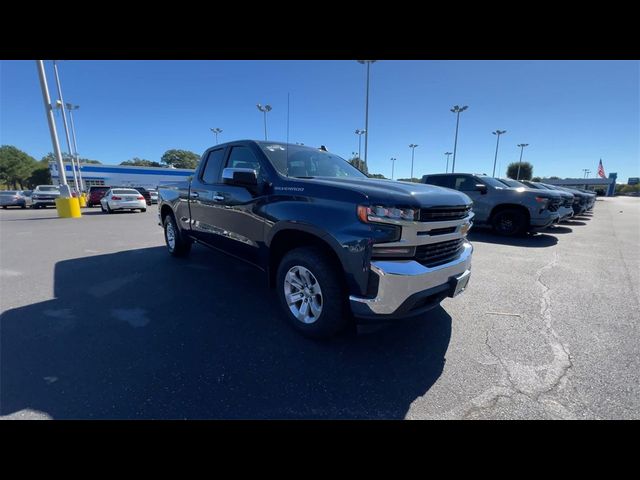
(122, 175)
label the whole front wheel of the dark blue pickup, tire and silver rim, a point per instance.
(311, 293)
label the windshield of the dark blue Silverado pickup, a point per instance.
(305, 162)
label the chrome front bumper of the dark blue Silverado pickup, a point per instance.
(402, 280)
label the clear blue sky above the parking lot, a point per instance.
(571, 113)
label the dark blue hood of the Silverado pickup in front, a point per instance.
(401, 194)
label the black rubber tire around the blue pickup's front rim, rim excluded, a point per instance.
(334, 315)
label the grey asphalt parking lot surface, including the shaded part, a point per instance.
(99, 322)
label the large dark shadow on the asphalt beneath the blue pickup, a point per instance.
(151, 336)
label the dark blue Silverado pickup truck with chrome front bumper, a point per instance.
(334, 243)
